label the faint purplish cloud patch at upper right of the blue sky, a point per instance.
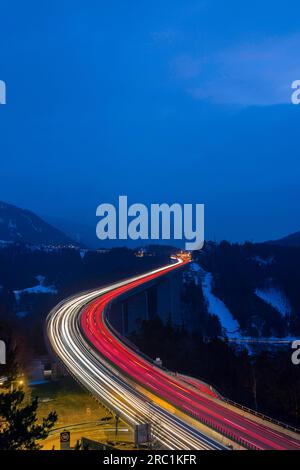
(259, 73)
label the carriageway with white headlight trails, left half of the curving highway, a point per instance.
(110, 385)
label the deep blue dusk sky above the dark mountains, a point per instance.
(162, 100)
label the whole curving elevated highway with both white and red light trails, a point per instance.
(80, 334)
